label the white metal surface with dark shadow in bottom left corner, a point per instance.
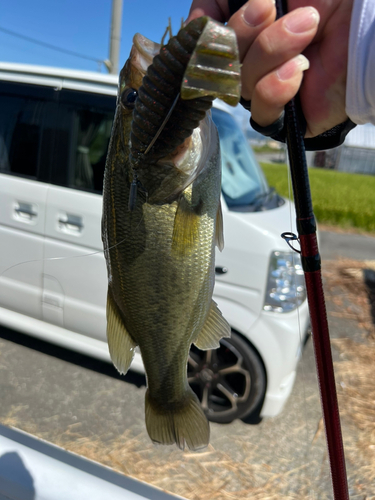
(32, 469)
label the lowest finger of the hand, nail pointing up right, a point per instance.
(273, 91)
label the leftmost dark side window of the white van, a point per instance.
(27, 120)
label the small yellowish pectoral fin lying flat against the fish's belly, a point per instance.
(185, 229)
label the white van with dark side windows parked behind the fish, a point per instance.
(55, 126)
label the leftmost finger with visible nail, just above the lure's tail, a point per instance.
(250, 20)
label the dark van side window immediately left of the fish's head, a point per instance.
(83, 133)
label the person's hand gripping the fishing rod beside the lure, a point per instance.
(272, 65)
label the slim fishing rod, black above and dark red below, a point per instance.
(294, 123)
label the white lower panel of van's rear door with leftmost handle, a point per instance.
(22, 215)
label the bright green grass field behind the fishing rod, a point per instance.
(341, 199)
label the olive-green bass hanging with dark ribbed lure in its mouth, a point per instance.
(161, 221)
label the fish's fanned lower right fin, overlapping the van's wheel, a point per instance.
(215, 328)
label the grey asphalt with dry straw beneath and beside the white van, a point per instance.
(70, 399)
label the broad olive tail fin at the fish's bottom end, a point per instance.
(181, 423)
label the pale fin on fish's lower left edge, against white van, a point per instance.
(121, 345)
